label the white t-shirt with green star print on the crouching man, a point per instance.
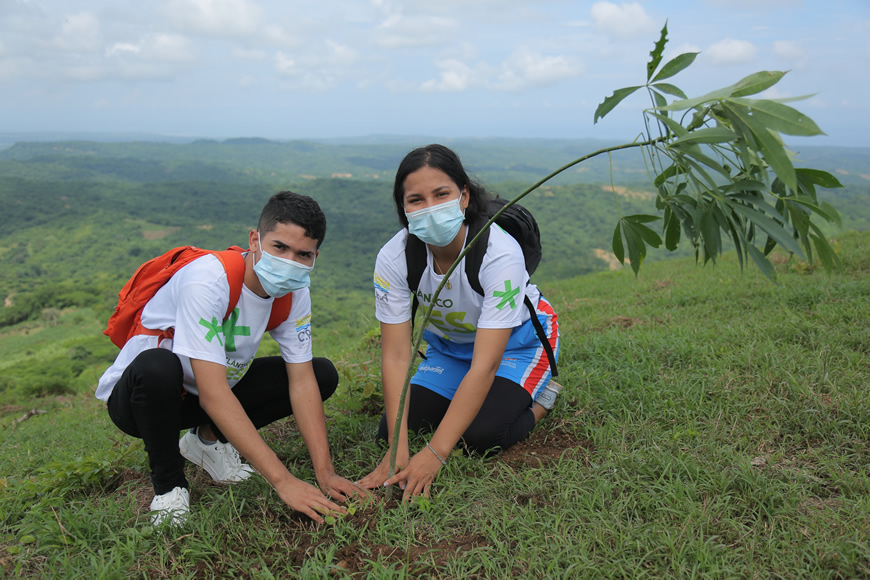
(194, 303)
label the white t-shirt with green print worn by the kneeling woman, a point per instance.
(459, 311)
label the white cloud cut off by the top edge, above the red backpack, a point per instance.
(215, 17)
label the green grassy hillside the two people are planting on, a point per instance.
(720, 428)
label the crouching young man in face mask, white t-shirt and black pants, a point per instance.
(202, 373)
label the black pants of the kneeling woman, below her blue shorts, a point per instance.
(504, 419)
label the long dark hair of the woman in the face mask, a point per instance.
(439, 157)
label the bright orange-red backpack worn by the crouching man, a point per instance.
(126, 320)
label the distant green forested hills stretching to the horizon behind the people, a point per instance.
(79, 217)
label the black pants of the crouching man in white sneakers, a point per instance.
(149, 402)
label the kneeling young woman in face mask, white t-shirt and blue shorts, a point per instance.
(486, 378)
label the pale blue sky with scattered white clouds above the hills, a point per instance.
(291, 69)
